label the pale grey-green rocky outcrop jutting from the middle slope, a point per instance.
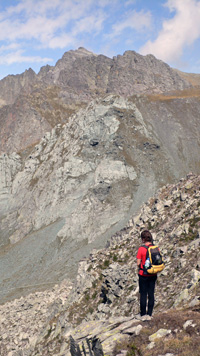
(79, 158)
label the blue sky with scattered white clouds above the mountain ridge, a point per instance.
(34, 33)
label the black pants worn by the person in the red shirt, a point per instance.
(147, 287)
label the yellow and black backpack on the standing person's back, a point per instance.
(154, 261)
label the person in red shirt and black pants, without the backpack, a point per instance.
(146, 281)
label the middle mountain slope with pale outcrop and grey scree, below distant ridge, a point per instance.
(83, 181)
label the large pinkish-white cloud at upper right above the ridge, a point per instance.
(182, 30)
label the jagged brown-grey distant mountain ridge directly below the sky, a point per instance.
(32, 104)
